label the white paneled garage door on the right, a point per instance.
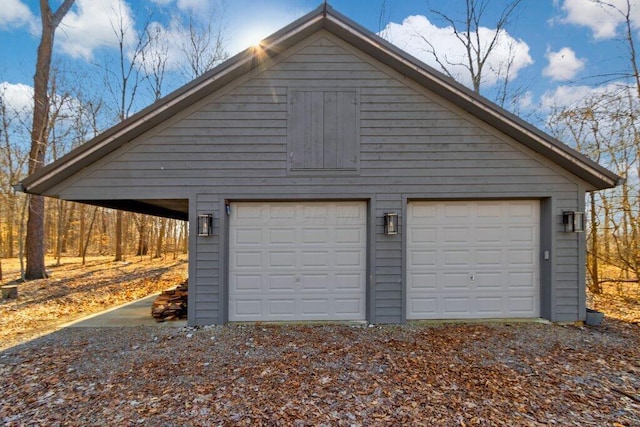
(472, 259)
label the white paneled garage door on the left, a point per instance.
(297, 261)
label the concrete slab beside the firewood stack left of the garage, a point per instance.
(136, 313)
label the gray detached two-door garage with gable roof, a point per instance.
(295, 153)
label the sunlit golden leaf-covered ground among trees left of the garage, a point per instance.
(73, 291)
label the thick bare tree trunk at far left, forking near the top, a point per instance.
(39, 135)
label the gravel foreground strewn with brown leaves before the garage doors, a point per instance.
(303, 375)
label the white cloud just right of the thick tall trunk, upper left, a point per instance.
(94, 24)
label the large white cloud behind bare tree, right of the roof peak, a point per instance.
(412, 33)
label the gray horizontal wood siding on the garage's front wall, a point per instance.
(413, 145)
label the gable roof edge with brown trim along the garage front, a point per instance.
(324, 17)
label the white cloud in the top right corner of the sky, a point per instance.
(601, 19)
